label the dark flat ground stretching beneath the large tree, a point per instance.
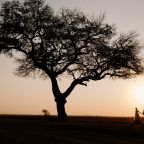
(78, 130)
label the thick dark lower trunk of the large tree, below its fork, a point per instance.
(62, 116)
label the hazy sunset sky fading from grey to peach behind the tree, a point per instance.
(106, 97)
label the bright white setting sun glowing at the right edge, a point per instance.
(139, 94)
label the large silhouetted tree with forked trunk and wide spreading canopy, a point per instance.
(67, 44)
